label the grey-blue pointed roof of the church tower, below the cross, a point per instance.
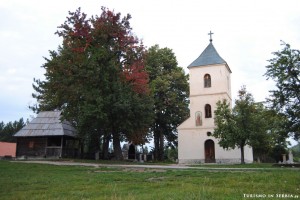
(209, 56)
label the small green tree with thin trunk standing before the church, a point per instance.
(240, 126)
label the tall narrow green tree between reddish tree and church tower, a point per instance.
(170, 90)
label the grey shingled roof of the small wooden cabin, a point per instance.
(47, 124)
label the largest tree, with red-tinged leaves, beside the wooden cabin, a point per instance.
(97, 78)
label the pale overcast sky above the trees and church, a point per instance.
(246, 32)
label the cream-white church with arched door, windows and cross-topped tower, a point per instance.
(209, 82)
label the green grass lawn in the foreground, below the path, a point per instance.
(40, 181)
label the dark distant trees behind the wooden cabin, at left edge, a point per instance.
(8, 130)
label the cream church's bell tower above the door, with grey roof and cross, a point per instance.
(209, 83)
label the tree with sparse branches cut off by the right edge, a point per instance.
(284, 69)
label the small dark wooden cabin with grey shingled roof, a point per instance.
(47, 136)
